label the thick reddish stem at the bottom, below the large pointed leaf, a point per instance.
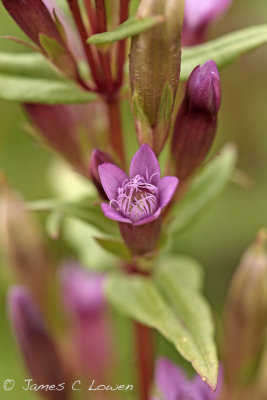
(145, 353)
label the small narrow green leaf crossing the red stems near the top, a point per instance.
(131, 27)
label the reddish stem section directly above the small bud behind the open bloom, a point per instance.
(115, 129)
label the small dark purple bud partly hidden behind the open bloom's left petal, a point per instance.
(98, 157)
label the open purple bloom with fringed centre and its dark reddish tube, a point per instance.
(136, 201)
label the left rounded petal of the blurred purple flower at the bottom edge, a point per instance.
(169, 378)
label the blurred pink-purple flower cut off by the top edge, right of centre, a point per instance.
(199, 15)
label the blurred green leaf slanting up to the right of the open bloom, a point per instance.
(204, 190)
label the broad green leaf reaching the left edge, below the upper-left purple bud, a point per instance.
(31, 79)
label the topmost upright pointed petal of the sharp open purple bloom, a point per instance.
(145, 164)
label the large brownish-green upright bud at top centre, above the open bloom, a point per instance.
(155, 59)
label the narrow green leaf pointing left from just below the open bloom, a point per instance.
(85, 209)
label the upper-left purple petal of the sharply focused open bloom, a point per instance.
(111, 178)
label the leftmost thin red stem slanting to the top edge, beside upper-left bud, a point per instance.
(74, 7)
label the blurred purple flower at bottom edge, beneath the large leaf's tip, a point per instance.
(172, 384)
